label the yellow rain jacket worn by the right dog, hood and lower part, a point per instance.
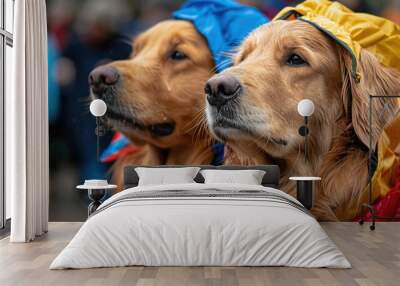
(355, 31)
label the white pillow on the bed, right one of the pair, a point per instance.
(248, 177)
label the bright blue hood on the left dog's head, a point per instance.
(224, 24)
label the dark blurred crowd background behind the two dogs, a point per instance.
(85, 34)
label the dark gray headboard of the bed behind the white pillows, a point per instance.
(270, 179)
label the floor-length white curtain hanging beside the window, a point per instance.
(27, 170)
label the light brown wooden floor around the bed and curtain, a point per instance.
(375, 257)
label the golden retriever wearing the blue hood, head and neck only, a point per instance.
(156, 97)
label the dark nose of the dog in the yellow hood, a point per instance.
(222, 88)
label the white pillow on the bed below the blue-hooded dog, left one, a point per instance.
(163, 176)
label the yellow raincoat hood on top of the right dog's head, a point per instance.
(351, 30)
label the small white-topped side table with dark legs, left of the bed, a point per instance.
(97, 191)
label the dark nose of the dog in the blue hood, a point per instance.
(102, 77)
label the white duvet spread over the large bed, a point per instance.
(191, 231)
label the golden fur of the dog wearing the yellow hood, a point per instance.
(262, 123)
